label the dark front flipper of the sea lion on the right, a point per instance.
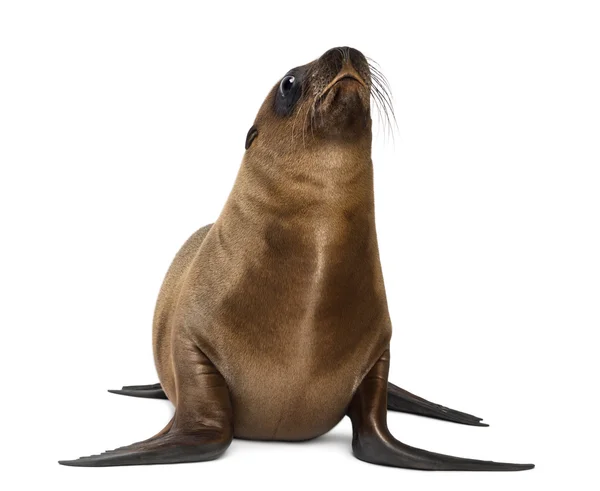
(373, 442)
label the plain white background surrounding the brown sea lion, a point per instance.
(122, 127)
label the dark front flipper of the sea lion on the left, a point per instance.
(201, 429)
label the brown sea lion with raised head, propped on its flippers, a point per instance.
(272, 323)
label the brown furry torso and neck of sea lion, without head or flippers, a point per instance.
(293, 316)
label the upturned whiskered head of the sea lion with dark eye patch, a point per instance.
(327, 99)
